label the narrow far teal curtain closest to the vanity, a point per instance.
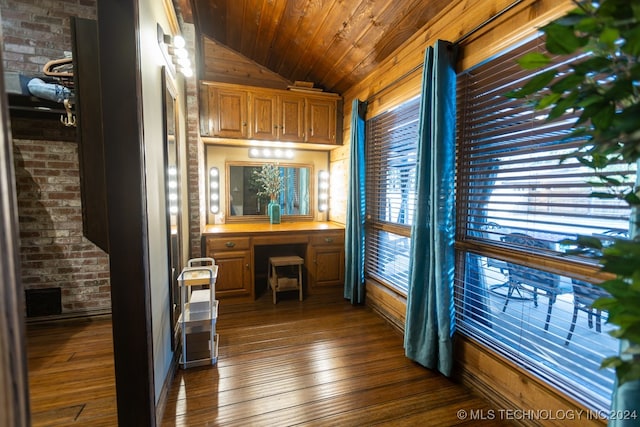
(354, 230)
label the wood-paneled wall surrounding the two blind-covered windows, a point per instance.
(397, 80)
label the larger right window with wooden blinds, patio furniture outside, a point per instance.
(520, 195)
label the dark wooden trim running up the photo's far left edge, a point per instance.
(14, 383)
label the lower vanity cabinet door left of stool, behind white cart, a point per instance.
(234, 274)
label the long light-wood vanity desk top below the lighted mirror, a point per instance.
(267, 228)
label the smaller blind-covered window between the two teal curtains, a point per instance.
(391, 143)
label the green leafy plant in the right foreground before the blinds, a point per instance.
(604, 88)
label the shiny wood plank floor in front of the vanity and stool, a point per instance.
(317, 362)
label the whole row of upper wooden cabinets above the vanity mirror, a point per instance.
(245, 112)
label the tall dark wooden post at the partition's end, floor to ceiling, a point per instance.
(118, 30)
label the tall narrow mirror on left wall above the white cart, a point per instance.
(172, 194)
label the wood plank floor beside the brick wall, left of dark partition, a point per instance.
(71, 373)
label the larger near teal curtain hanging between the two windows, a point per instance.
(430, 307)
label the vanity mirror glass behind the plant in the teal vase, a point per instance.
(242, 190)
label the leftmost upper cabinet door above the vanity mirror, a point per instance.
(229, 112)
